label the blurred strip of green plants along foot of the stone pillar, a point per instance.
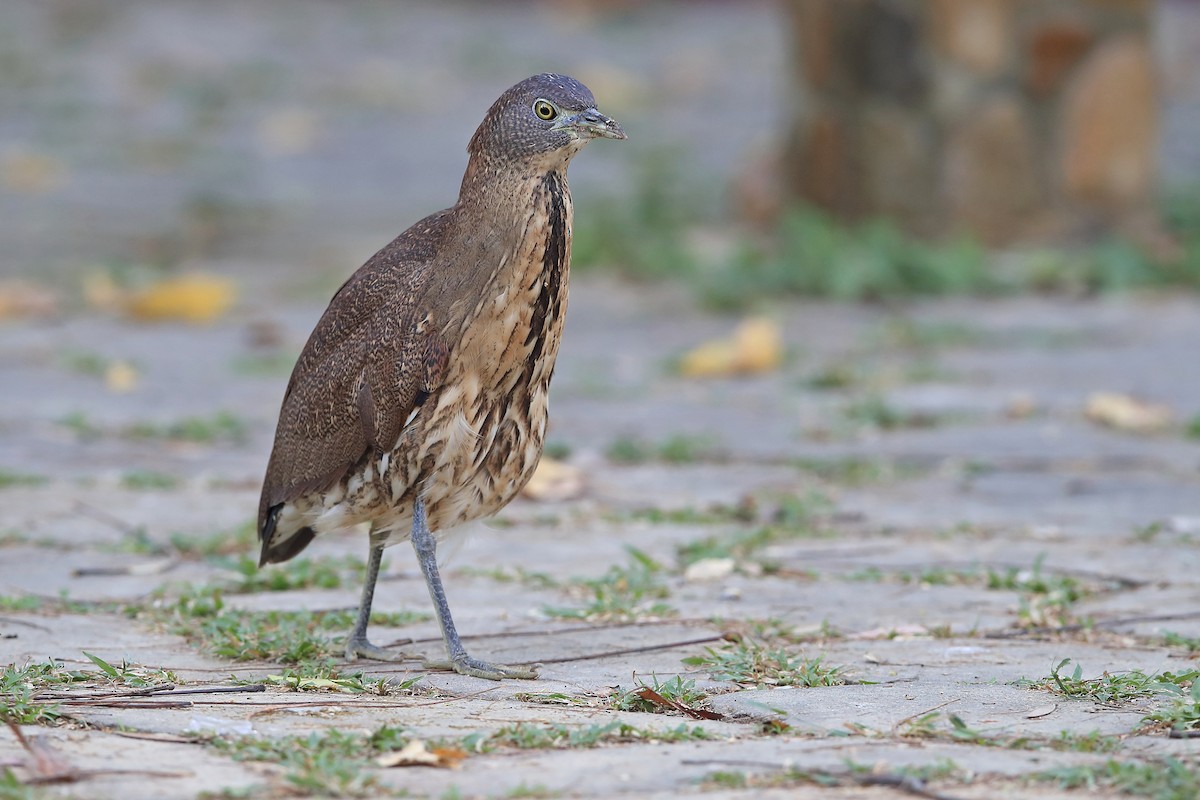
(669, 230)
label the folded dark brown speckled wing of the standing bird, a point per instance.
(369, 363)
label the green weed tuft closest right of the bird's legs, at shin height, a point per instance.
(625, 593)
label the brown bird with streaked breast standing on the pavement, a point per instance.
(421, 399)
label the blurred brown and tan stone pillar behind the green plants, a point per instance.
(1013, 119)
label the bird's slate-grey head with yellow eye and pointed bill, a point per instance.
(543, 116)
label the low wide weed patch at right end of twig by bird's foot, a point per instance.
(751, 664)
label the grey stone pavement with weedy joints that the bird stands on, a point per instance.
(943, 526)
